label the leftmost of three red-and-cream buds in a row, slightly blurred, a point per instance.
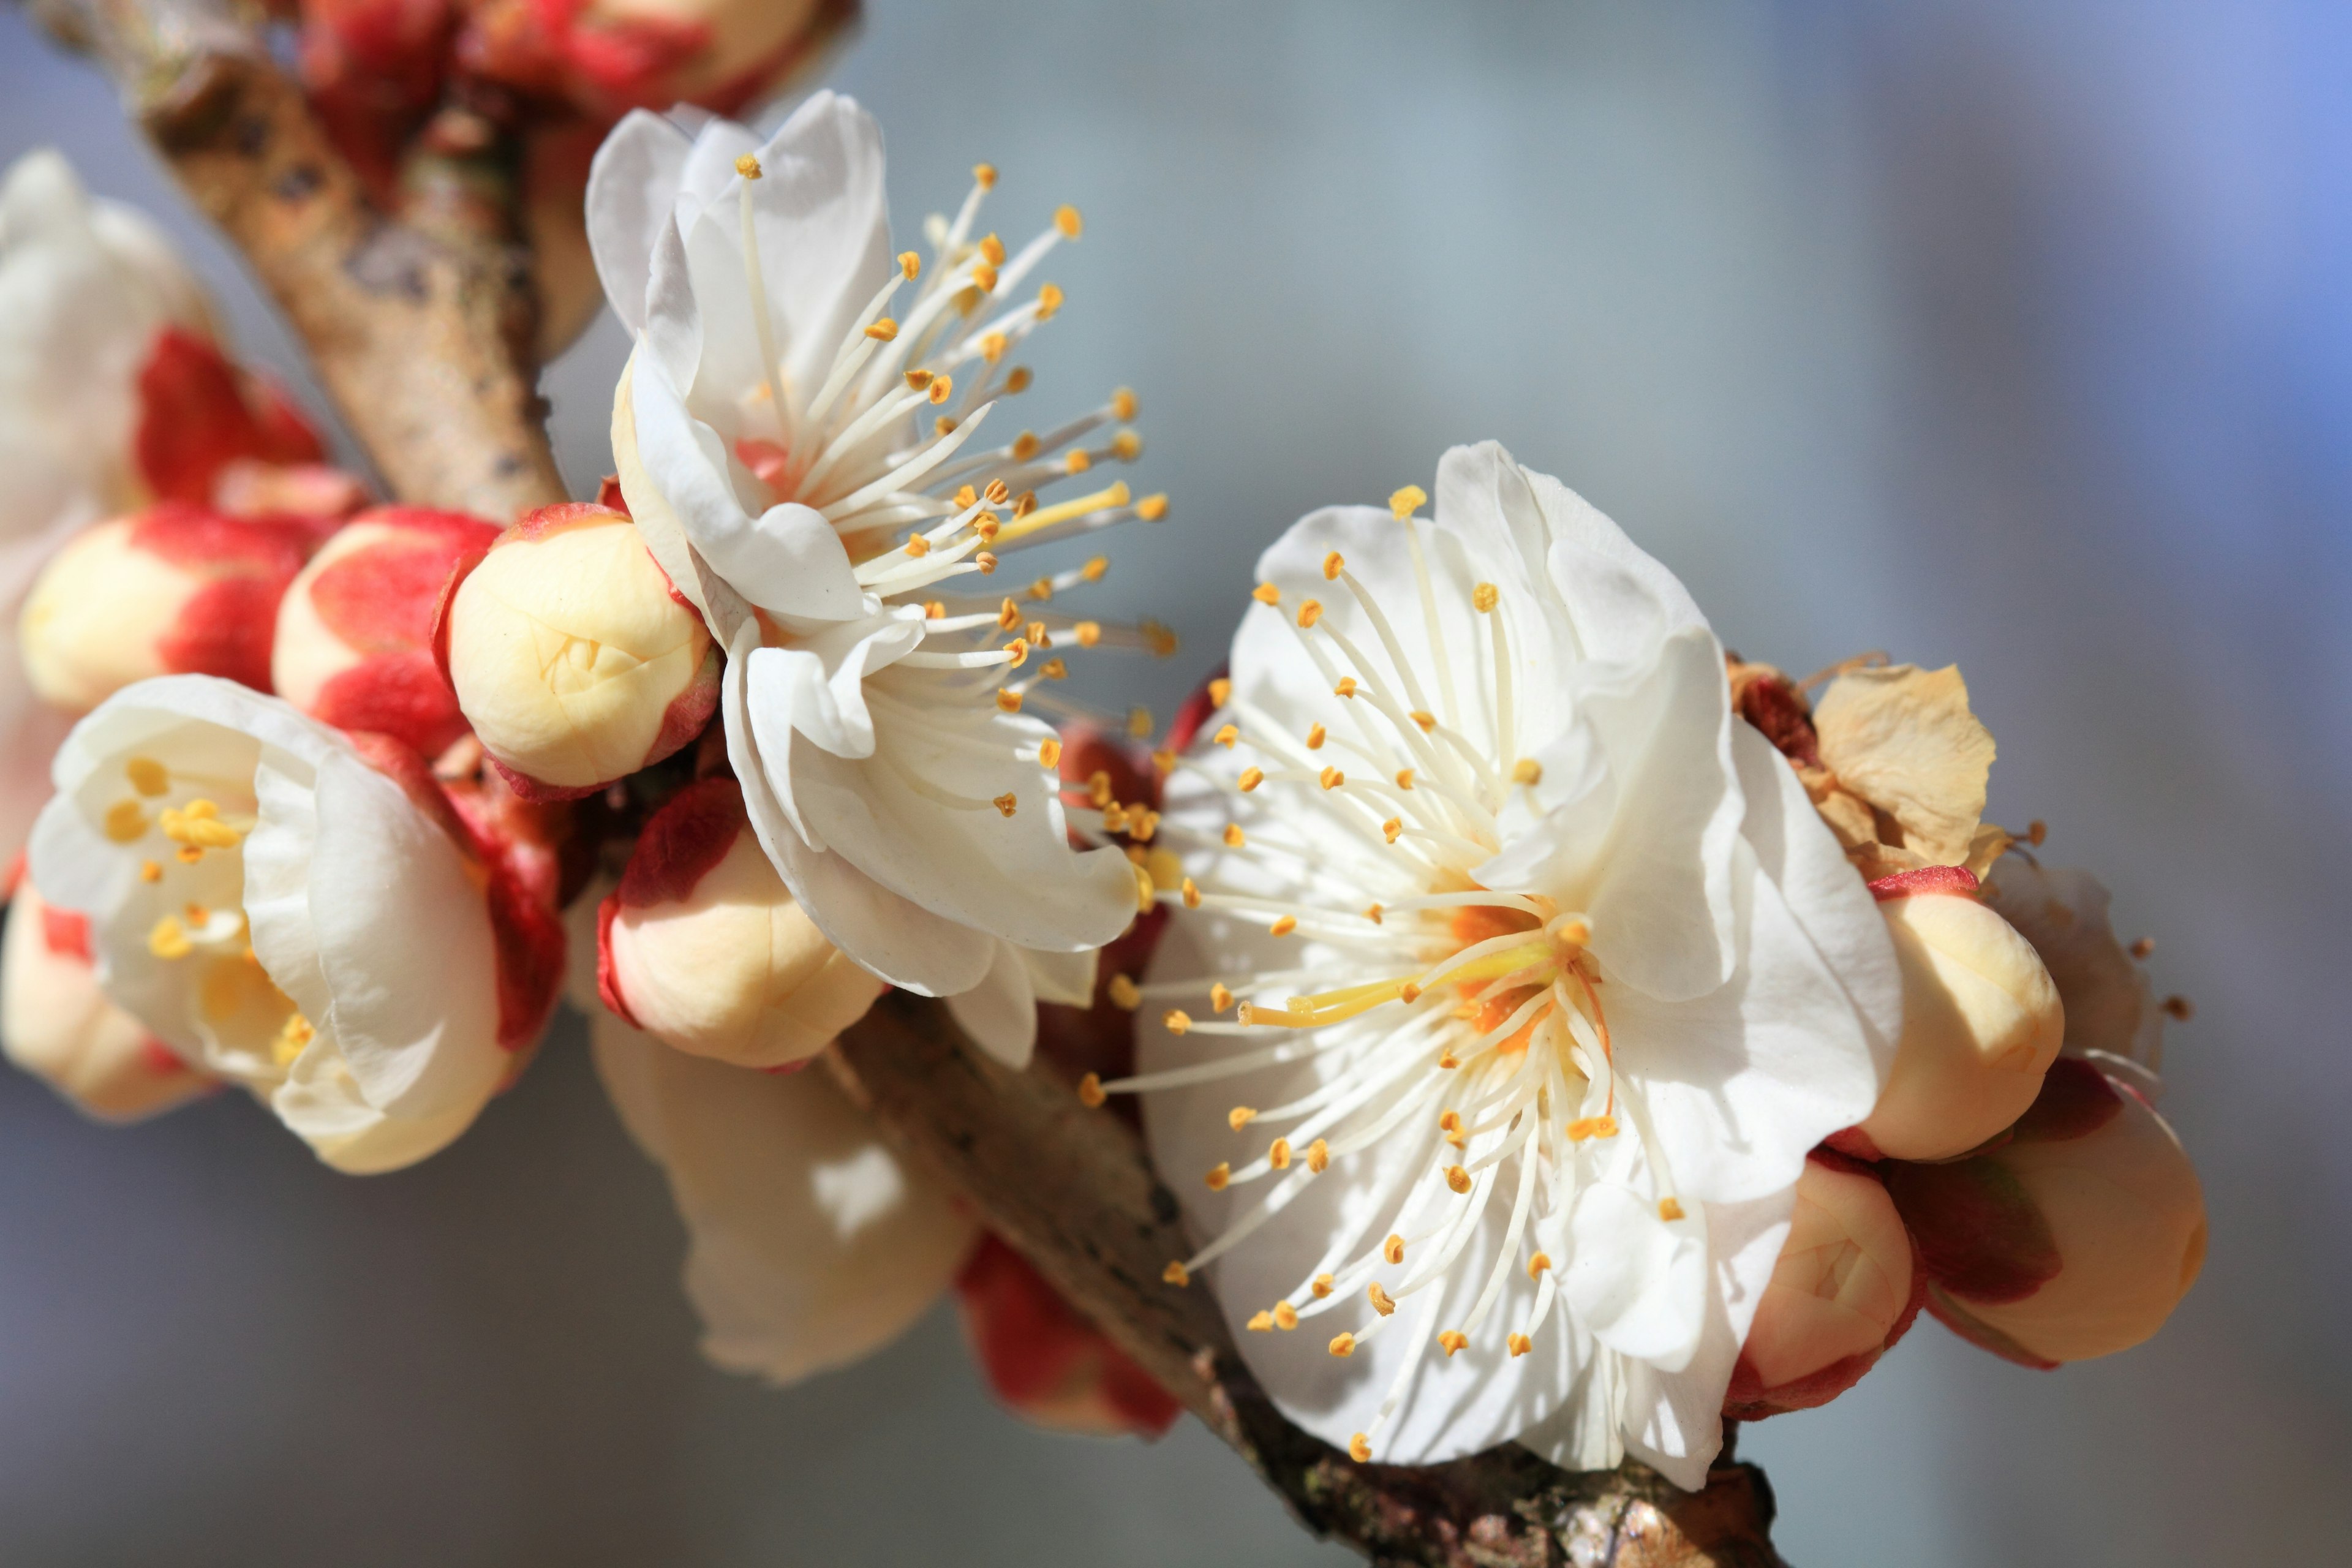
(171, 591)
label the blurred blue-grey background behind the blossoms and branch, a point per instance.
(1998, 333)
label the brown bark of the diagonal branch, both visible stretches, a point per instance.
(420, 330)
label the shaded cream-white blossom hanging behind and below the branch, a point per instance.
(808, 1242)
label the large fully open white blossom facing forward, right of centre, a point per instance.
(1544, 979)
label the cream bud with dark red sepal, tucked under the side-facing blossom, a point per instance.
(707, 949)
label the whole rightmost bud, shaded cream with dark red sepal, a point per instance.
(2073, 1240)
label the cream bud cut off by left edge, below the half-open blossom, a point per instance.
(60, 1026)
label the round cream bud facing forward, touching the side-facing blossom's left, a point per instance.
(573, 657)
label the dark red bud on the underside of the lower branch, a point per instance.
(1048, 1362)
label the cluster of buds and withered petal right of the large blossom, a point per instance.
(2014, 1177)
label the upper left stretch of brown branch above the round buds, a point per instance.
(417, 328)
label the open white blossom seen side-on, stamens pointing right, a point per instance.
(806, 469)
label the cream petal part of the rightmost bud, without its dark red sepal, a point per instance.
(2127, 1217)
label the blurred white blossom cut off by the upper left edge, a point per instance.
(86, 286)
